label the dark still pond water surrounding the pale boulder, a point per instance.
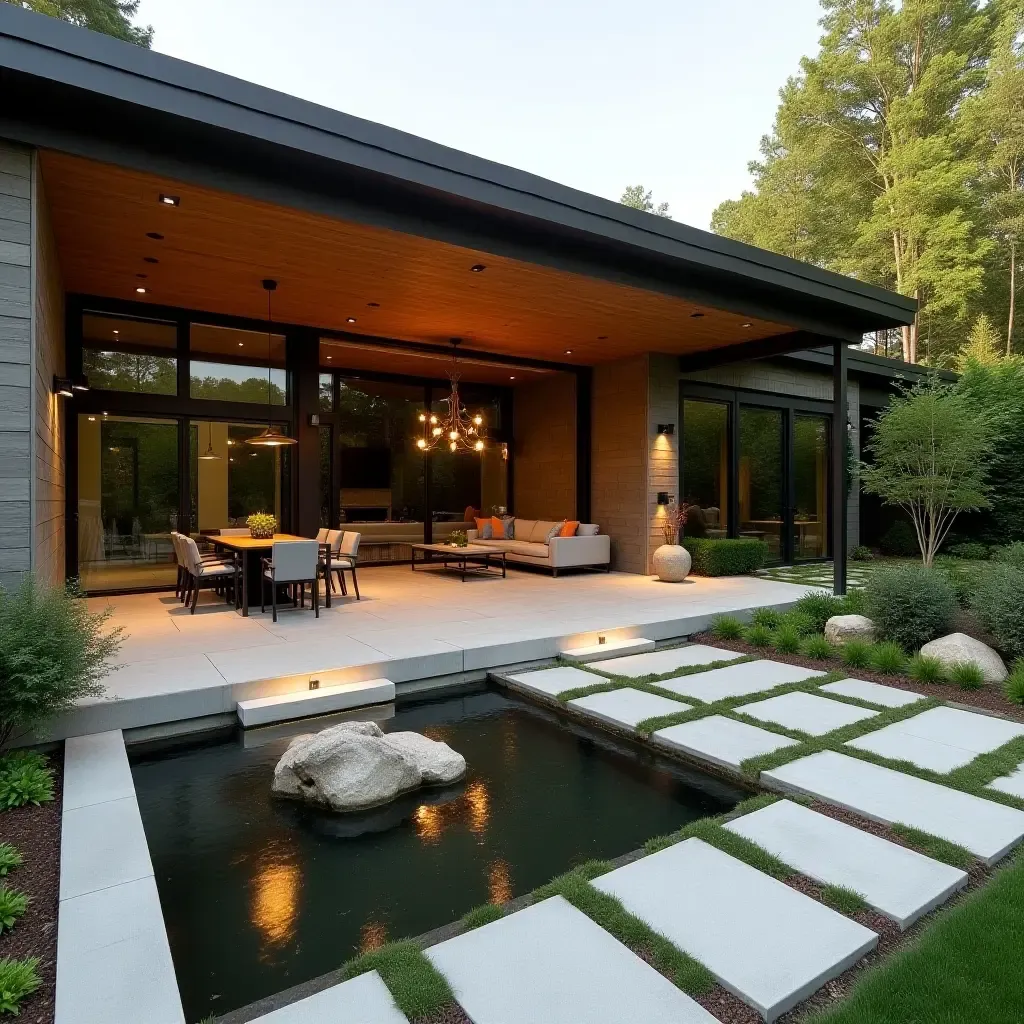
(261, 894)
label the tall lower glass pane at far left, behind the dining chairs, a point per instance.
(127, 502)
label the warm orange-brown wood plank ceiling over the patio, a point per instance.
(212, 250)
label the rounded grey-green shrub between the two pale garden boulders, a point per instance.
(910, 605)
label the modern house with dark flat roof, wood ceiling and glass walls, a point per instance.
(618, 360)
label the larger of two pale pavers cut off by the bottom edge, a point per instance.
(550, 964)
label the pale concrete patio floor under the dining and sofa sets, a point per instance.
(410, 628)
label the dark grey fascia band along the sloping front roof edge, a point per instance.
(36, 46)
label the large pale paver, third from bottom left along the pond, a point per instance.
(765, 943)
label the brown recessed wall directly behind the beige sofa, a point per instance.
(544, 414)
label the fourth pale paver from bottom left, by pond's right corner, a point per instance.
(900, 883)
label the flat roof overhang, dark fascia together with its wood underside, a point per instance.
(270, 160)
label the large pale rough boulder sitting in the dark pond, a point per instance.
(355, 765)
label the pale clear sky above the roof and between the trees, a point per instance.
(596, 95)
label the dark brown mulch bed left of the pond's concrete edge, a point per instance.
(36, 834)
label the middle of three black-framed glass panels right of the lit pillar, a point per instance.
(762, 471)
